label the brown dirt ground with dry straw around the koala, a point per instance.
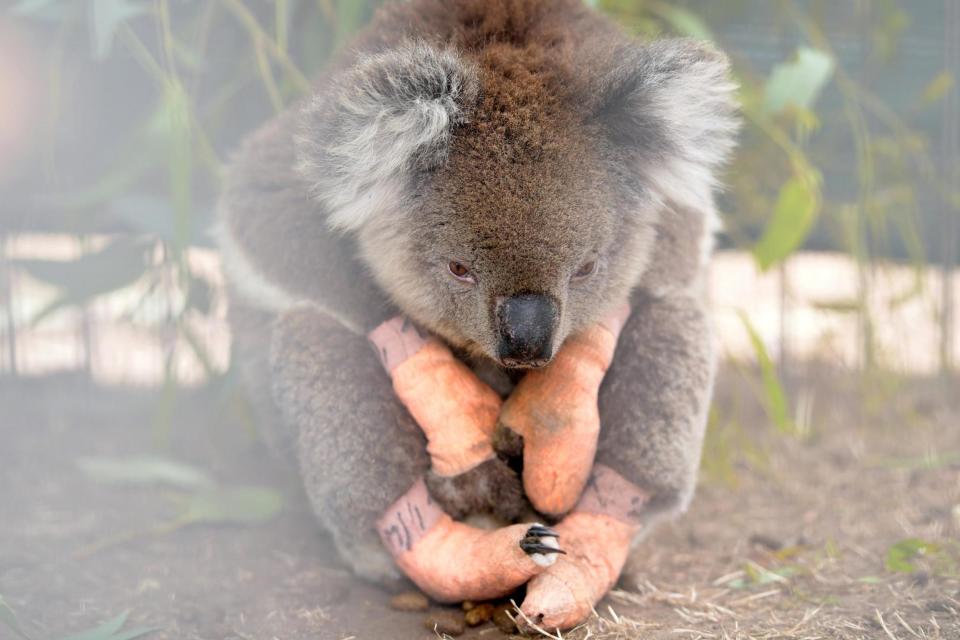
(788, 537)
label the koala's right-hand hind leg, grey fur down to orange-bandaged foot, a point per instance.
(653, 405)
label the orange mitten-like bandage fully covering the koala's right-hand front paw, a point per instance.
(555, 410)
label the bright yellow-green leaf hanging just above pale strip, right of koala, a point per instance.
(797, 207)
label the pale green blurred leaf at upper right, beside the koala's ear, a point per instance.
(798, 82)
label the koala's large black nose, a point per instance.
(526, 323)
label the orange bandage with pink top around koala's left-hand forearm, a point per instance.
(456, 410)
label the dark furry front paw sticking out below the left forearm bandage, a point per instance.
(491, 487)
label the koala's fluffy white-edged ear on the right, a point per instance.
(672, 103)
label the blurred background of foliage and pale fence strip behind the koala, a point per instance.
(835, 283)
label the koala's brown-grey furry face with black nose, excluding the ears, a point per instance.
(506, 254)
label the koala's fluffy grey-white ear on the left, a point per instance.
(389, 115)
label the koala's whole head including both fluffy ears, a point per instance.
(504, 199)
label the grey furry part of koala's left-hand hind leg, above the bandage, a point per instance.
(357, 446)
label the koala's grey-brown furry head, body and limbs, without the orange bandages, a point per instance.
(503, 173)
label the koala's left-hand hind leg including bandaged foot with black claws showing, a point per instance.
(362, 458)
